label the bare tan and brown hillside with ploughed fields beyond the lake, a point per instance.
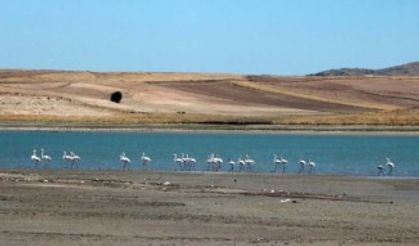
(181, 97)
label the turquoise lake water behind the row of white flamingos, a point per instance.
(333, 154)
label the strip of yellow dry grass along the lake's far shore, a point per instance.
(382, 118)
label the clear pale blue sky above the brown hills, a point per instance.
(293, 37)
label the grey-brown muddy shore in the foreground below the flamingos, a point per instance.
(66, 207)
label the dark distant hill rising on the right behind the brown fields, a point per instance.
(409, 69)
